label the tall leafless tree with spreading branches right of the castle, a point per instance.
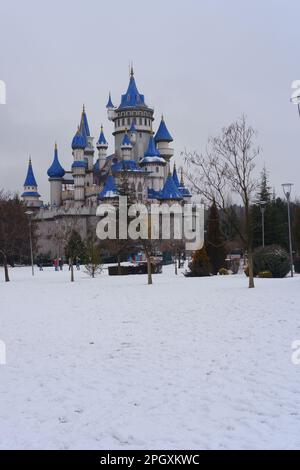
(228, 166)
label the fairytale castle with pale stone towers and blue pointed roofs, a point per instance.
(139, 153)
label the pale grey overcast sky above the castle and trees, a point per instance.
(202, 63)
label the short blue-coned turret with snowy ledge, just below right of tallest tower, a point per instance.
(154, 164)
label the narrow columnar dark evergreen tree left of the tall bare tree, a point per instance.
(215, 241)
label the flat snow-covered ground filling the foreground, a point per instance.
(114, 363)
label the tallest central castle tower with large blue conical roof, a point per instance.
(132, 110)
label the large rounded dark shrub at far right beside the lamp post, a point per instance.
(271, 258)
